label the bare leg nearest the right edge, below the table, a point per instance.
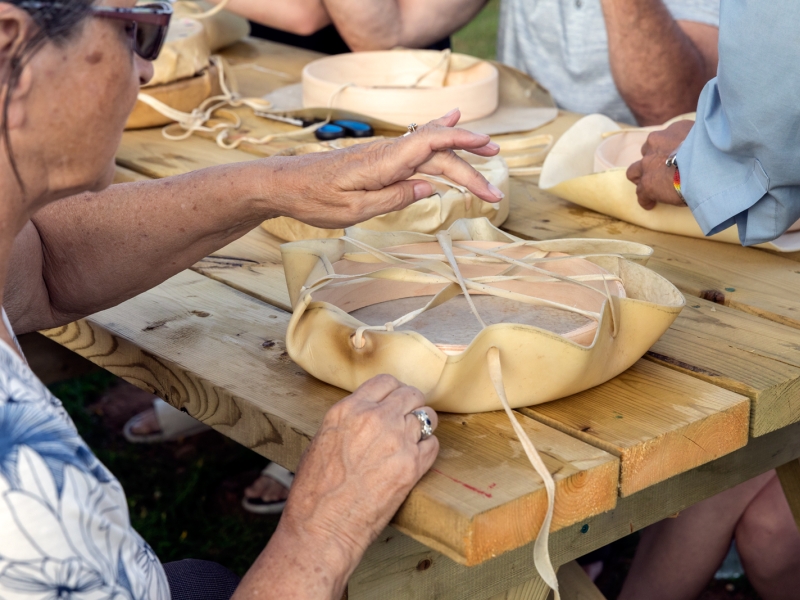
(769, 544)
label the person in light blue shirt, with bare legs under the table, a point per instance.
(738, 164)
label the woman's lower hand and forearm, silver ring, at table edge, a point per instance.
(361, 465)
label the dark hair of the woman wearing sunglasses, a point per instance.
(57, 21)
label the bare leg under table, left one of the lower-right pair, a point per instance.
(677, 557)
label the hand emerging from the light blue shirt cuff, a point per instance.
(652, 177)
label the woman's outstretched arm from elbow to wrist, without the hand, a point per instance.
(93, 251)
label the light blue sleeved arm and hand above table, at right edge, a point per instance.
(740, 162)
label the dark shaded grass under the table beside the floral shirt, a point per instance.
(180, 496)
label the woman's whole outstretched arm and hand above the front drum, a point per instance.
(91, 252)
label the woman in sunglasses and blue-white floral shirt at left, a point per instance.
(70, 73)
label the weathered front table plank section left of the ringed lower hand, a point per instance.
(215, 352)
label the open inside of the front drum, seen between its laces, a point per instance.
(452, 325)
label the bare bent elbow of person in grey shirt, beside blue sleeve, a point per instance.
(659, 65)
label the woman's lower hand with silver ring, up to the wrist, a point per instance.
(361, 465)
